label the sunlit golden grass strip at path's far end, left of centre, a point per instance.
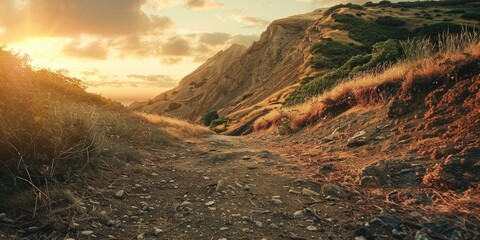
(175, 127)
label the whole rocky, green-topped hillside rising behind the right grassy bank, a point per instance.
(301, 56)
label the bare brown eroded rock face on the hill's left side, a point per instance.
(240, 79)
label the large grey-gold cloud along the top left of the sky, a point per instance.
(69, 18)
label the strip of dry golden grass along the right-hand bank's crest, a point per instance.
(372, 88)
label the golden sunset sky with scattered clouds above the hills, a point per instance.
(132, 50)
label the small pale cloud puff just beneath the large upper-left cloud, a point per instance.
(93, 50)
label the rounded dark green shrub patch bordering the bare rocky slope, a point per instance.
(331, 54)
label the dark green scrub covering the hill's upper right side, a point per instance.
(336, 60)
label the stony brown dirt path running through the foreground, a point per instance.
(215, 188)
